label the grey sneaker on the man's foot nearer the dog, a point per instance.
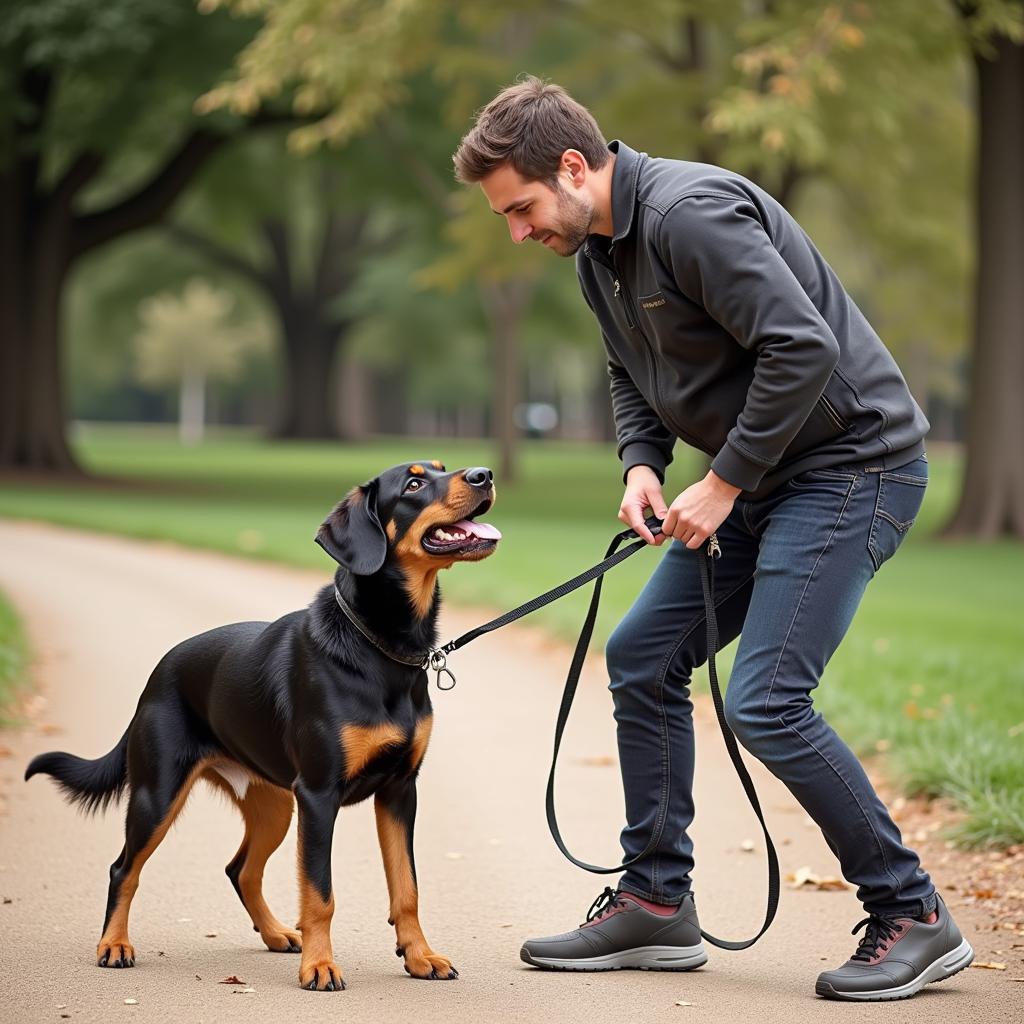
(623, 931)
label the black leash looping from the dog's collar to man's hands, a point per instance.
(706, 560)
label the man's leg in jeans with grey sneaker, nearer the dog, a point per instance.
(652, 922)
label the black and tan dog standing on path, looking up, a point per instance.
(319, 708)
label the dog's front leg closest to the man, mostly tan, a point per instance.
(396, 808)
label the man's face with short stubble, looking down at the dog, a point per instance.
(560, 219)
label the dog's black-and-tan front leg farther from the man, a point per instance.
(318, 812)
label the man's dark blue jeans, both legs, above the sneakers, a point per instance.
(793, 571)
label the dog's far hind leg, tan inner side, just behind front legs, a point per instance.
(268, 814)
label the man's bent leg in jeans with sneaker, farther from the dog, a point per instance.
(823, 538)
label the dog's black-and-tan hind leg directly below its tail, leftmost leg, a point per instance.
(160, 787)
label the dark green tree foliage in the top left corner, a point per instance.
(118, 75)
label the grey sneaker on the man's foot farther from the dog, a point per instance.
(898, 957)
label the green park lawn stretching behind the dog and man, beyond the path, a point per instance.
(928, 674)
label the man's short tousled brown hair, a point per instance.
(530, 125)
